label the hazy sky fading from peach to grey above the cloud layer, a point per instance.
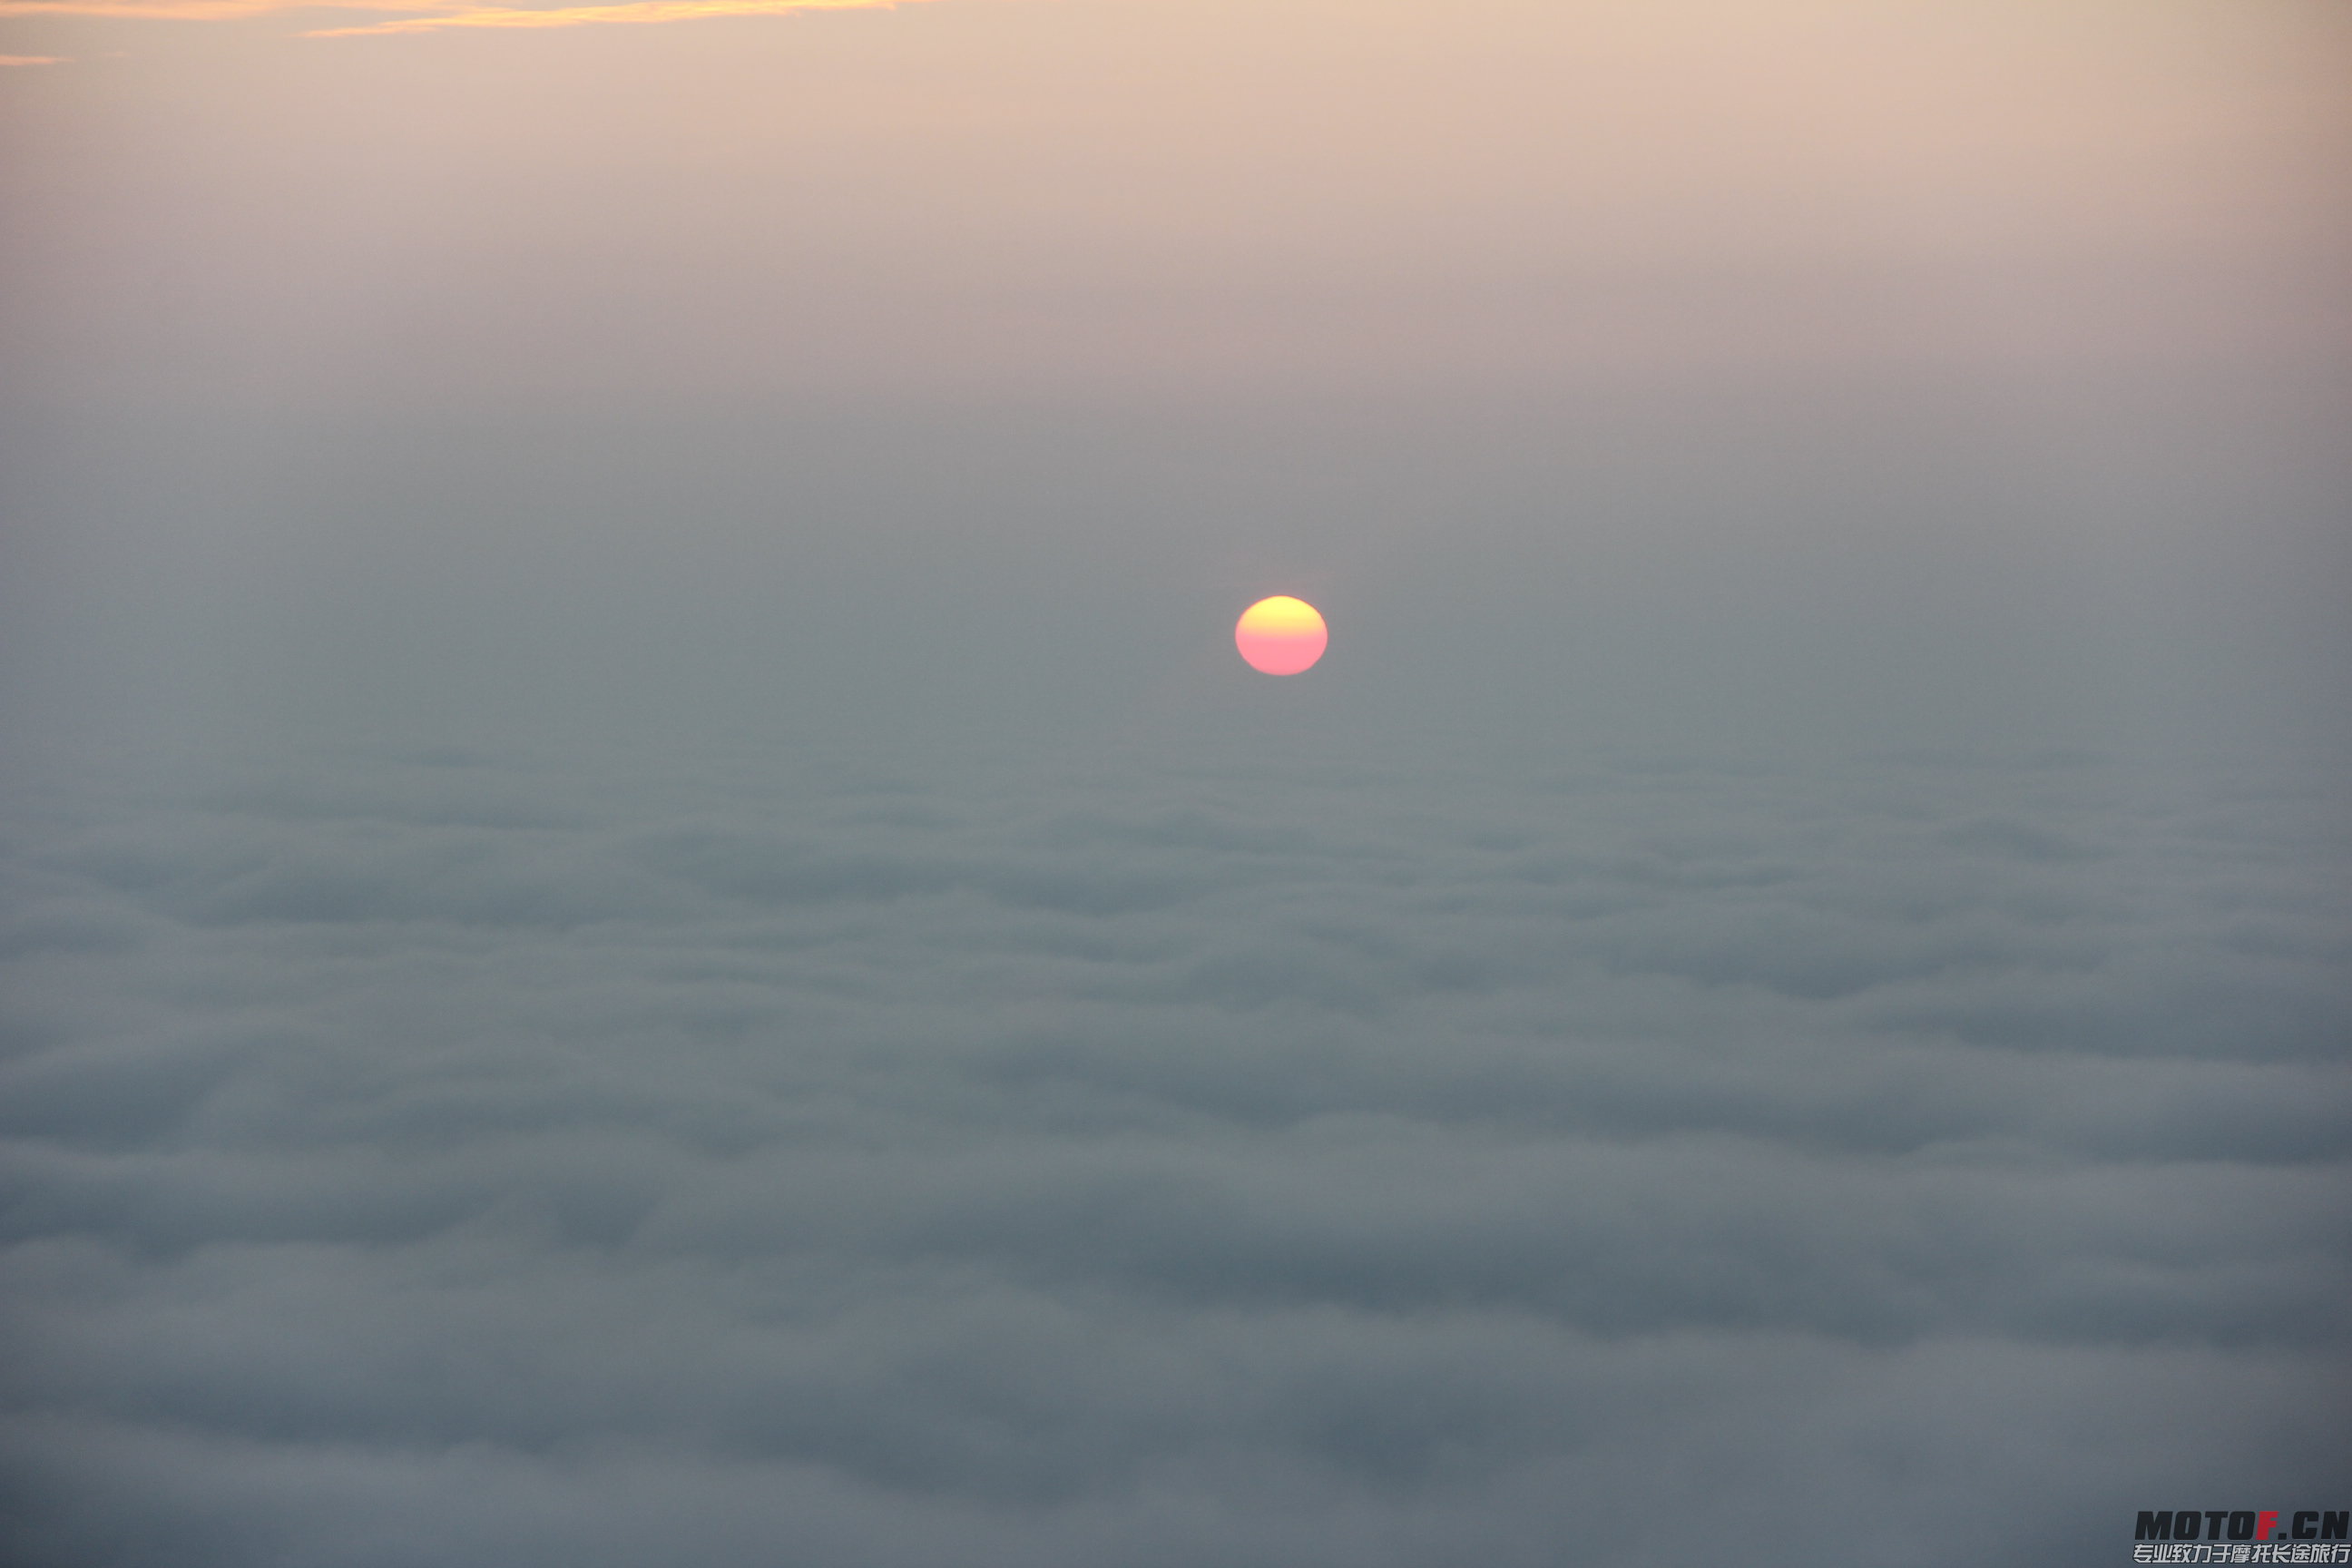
(1946, 363)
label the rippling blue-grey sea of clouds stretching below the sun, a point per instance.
(1165, 1155)
